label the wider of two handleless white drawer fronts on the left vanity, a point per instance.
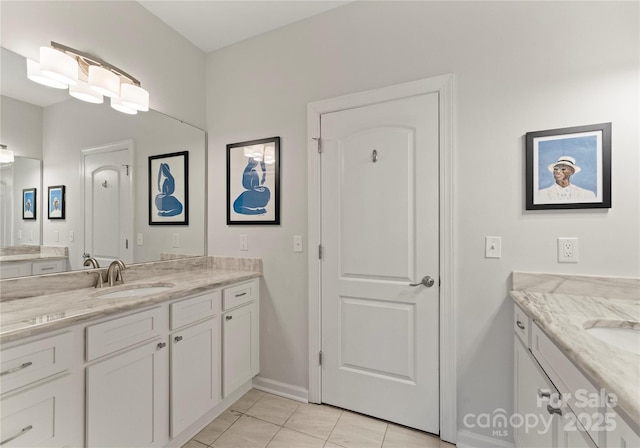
(117, 334)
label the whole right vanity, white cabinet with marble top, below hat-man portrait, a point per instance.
(571, 387)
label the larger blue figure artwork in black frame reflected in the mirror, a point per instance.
(169, 189)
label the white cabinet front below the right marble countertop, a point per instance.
(547, 383)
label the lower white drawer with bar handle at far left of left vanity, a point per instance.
(40, 417)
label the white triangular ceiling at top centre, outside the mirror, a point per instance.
(213, 24)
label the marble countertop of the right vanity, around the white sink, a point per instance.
(564, 315)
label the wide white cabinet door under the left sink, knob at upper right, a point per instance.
(127, 398)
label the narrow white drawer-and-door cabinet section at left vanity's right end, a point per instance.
(240, 335)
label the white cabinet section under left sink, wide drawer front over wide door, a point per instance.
(126, 387)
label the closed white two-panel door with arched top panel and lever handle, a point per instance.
(379, 234)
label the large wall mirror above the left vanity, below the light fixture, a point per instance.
(101, 156)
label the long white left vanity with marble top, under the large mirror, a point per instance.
(147, 363)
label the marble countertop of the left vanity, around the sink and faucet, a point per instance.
(33, 315)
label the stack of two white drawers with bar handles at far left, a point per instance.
(39, 403)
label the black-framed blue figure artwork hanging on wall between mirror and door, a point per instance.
(253, 182)
